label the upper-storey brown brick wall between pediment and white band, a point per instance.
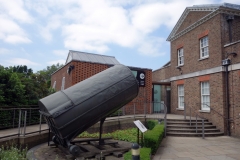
(192, 48)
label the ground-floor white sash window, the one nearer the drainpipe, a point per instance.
(205, 96)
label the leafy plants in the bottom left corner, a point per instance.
(12, 153)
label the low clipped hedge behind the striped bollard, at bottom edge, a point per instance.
(145, 154)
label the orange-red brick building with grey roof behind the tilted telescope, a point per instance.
(80, 66)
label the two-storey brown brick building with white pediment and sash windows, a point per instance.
(204, 67)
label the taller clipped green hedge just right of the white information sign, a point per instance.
(152, 138)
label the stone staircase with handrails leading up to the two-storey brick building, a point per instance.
(182, 128)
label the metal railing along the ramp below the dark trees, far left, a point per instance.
(17, 120)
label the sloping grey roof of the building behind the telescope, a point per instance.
(91, 58)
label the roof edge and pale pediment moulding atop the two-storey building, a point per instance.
(213, 8)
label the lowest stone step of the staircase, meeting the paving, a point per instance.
(184, 134)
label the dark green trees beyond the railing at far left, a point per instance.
(20, 86)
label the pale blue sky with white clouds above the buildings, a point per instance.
(40, 33)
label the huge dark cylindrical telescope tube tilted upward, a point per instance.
(70, 112)
